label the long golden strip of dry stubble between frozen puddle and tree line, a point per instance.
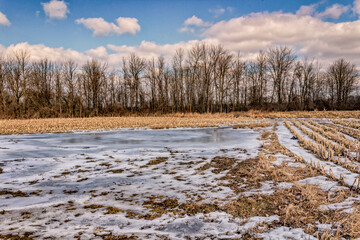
(157, 121)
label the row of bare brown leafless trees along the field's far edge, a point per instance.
(206, 78)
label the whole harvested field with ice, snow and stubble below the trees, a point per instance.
(248, 175)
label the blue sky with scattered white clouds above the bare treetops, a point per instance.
(109, 30)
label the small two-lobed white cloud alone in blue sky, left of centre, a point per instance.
(100, 27)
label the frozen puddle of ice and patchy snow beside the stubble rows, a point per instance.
(71, 184)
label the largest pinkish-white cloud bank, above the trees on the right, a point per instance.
(311, 36)
